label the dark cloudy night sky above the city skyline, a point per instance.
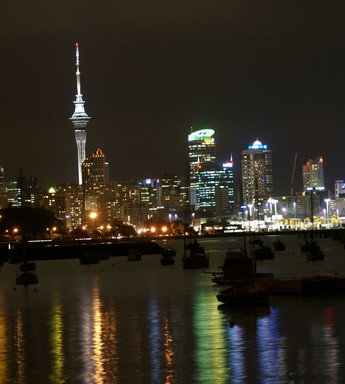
(273, 70)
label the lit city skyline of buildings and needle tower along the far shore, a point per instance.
(213, 191)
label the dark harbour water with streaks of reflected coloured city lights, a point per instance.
(140, 322)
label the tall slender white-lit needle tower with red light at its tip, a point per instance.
(79, 120)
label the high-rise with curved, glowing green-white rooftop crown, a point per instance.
(201, 150)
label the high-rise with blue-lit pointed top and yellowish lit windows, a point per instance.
(257, 178)
